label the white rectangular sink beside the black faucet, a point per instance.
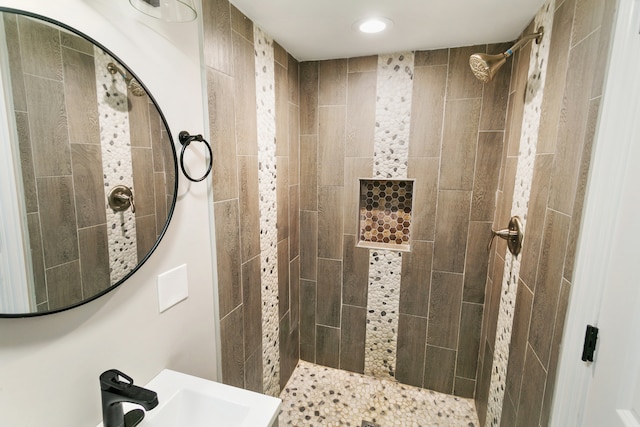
(185, 400)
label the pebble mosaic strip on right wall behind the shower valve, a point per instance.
(521, 195)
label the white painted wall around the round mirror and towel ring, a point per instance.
(49, 366)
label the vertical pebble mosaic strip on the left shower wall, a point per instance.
(266, 107)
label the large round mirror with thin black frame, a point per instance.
(89, 173)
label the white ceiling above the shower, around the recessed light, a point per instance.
(322, 29)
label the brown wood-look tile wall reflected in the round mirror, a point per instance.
(53, 82)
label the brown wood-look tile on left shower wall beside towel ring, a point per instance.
(230, 67)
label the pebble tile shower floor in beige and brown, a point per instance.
(323, 397)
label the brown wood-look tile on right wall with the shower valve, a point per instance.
(579, 44)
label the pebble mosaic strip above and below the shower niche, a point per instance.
(391, 154)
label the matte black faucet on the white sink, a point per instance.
(117, 388)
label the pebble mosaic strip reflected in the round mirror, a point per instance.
(113, 110)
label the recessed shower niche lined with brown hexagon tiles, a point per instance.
(385, 208)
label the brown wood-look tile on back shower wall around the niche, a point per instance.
(456, 144)
